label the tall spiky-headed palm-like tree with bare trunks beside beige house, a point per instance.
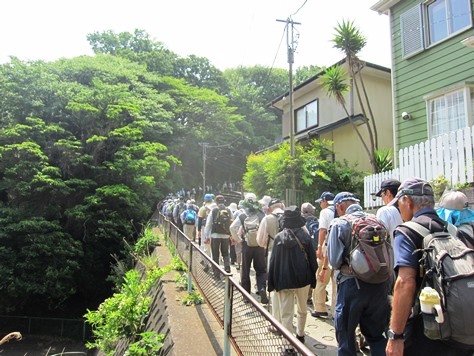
(350, 41)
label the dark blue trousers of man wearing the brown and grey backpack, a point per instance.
(367, 307)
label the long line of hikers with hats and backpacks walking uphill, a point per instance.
(402, 278)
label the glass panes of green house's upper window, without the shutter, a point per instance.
(446, 17)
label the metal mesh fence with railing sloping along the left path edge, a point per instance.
(245, 323)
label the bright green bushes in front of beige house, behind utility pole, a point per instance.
(270, 172)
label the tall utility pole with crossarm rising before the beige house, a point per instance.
(290, 42)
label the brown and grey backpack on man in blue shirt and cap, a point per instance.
(371, 256)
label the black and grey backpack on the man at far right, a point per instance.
(449, 269)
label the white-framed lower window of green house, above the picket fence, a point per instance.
(450, 112)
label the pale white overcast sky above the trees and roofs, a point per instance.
(229, 33)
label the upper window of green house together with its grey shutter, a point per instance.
(431, 22)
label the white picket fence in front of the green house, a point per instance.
(448, 155)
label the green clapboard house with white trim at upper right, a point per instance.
(432, 67)
